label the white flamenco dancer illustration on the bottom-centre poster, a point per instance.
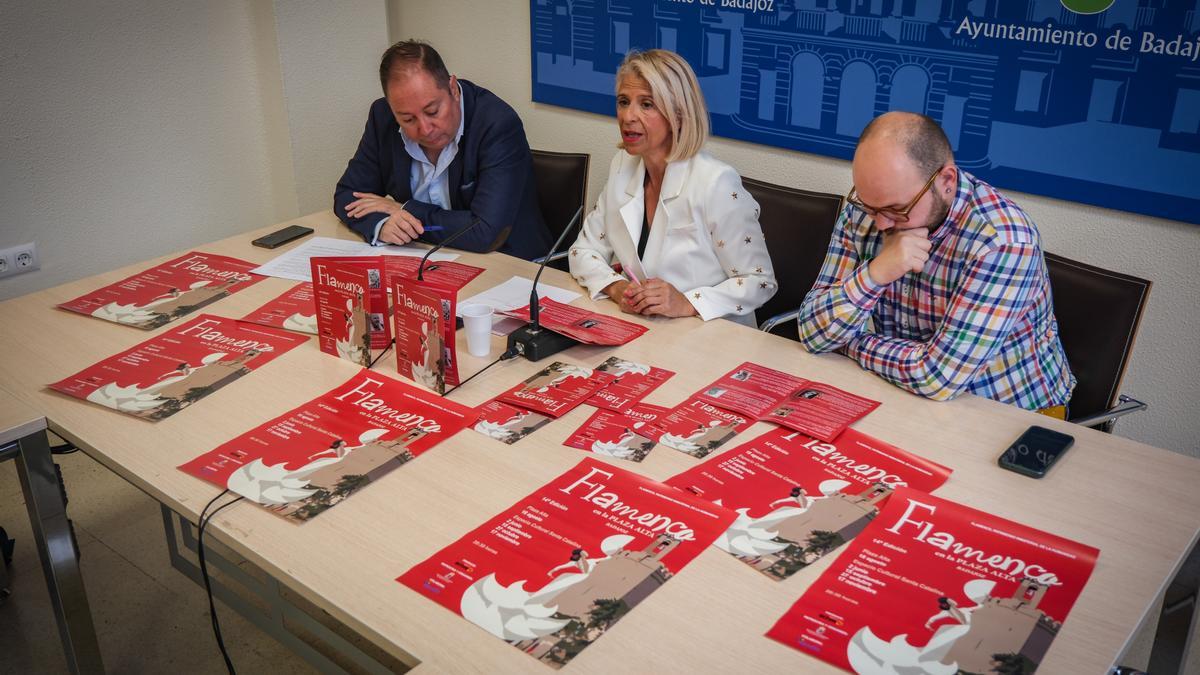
(514, 614)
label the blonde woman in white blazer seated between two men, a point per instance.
(703, 253)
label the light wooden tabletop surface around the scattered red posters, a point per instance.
(1137, 504)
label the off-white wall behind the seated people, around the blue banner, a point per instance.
(489, 44)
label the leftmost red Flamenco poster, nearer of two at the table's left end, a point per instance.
(171, 372)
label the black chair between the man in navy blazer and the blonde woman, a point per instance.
(562, 182)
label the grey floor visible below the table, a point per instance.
(151, 618)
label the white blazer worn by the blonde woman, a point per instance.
(705, 240)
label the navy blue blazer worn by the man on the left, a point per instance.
(491, 180)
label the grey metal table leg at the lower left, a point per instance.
(49, 518)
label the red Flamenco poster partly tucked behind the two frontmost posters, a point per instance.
(799, 499)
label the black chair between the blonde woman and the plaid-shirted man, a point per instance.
(797, 225)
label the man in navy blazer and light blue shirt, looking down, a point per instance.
(439, 156)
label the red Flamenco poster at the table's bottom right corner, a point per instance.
(934, 587)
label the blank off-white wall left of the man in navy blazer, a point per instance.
(136, 129)
